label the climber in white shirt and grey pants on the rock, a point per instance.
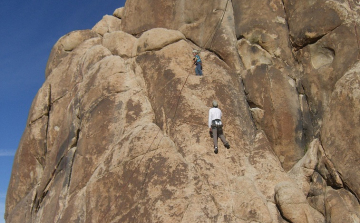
(215, 126)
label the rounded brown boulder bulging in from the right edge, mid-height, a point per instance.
(340, 132)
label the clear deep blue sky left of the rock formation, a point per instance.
(29, 29)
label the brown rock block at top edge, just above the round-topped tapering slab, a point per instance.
(264, 24)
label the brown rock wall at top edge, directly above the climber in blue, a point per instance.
(209, 25)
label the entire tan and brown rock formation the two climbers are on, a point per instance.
(118, 132)
